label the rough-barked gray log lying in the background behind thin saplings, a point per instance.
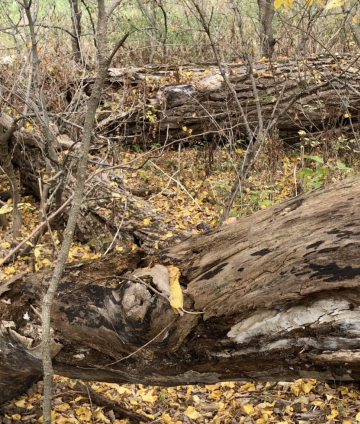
(145, 107)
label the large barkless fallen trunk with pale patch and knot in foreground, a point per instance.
(274, 296)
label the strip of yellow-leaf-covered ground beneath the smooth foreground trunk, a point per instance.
(302, 401)
